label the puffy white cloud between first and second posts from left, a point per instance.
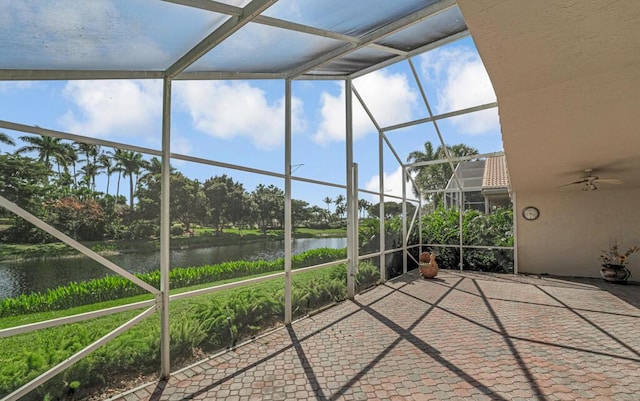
(236, 109)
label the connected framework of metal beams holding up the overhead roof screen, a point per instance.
(238, 18)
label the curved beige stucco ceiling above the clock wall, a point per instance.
(567, 78)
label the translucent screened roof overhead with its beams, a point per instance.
(231, 39)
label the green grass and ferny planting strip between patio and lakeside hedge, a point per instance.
(207, 322)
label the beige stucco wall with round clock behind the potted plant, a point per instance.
(574, 227)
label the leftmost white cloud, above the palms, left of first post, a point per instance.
(113, 108)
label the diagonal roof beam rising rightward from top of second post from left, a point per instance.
(378, 34)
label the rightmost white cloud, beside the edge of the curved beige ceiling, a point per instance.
(461, 81)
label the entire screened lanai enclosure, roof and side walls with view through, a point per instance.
(210, 170)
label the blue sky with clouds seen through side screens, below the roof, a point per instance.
(242, 122)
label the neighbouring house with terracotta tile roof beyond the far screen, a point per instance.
(484, 184)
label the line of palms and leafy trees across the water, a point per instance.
(55, 179)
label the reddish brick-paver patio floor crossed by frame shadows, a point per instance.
(462, 336)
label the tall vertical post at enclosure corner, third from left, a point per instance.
(351, 233)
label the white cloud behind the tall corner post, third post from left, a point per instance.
(388, 96)
